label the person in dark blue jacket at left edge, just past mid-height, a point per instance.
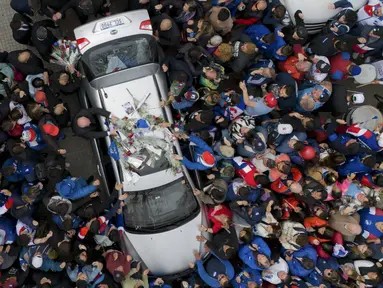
(16, 170)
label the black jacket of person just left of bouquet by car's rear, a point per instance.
(44, 47)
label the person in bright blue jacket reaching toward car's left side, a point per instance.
(75, 188)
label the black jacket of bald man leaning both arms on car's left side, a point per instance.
(92, 130)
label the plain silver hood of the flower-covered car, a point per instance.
(168, 252)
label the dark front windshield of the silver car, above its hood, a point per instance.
(166, 206)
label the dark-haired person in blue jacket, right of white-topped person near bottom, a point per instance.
(301, 262)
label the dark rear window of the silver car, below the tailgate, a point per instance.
(120, 54)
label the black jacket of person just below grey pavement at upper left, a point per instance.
(32, 67)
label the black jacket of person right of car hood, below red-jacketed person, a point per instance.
(223, 237)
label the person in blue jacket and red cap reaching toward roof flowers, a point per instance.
(203, 155)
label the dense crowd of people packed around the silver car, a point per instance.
(294, 192)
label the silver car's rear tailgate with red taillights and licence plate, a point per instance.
(111, 28)
